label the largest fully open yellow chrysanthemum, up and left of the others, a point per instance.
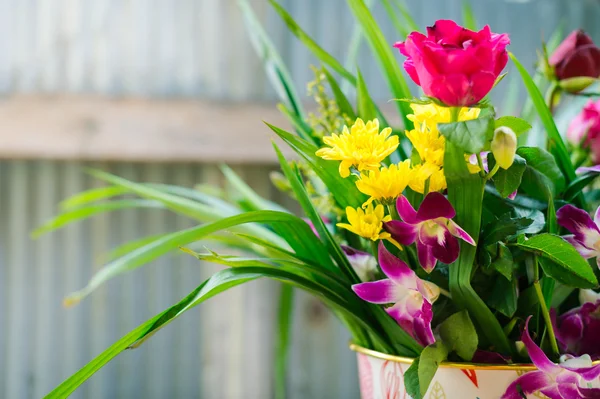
(363, 146)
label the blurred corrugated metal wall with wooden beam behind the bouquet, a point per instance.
(164, 91)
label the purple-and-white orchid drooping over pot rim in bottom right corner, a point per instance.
(557, 381)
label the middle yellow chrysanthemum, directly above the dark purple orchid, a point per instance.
(385, 184)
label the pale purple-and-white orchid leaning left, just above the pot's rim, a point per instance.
(411, 296)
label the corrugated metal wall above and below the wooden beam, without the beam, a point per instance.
(172, 48)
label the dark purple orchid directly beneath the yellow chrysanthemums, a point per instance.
(431, 227)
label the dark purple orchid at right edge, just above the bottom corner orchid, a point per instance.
(577, 330)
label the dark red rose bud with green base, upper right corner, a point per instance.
(576, 62)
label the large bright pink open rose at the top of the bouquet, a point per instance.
(453, 64)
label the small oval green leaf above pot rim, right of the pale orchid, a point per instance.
(458, 335)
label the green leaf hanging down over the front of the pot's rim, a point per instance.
(422, 370)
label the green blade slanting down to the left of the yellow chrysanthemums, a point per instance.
(343, 190)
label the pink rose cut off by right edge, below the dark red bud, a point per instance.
(584, 129)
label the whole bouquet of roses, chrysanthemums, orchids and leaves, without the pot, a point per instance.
(443, 240)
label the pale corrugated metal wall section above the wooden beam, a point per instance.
(198, 48)
